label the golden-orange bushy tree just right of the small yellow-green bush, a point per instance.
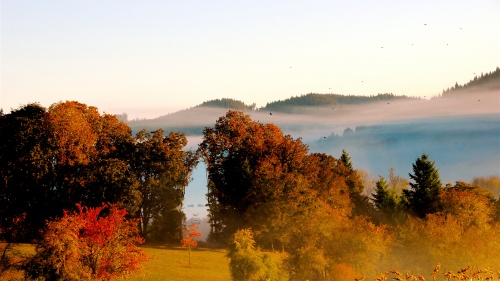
(326, 238)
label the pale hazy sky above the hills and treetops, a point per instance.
(149, 58)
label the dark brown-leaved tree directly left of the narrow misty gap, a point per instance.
(163, 170)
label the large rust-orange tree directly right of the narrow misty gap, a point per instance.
(249, 165)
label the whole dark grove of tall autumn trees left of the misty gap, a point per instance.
(54, 158)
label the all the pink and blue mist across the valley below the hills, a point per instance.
(461, 133)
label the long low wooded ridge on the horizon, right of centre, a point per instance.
(324, 100)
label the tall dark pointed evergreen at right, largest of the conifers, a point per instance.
(422, 197)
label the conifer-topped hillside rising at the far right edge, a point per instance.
(489, 81)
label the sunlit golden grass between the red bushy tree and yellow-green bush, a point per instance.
(172, 263)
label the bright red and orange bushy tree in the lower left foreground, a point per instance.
(91, 244)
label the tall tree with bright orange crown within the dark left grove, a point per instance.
(91, 157)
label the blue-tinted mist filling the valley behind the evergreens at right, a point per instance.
(462, 147)
